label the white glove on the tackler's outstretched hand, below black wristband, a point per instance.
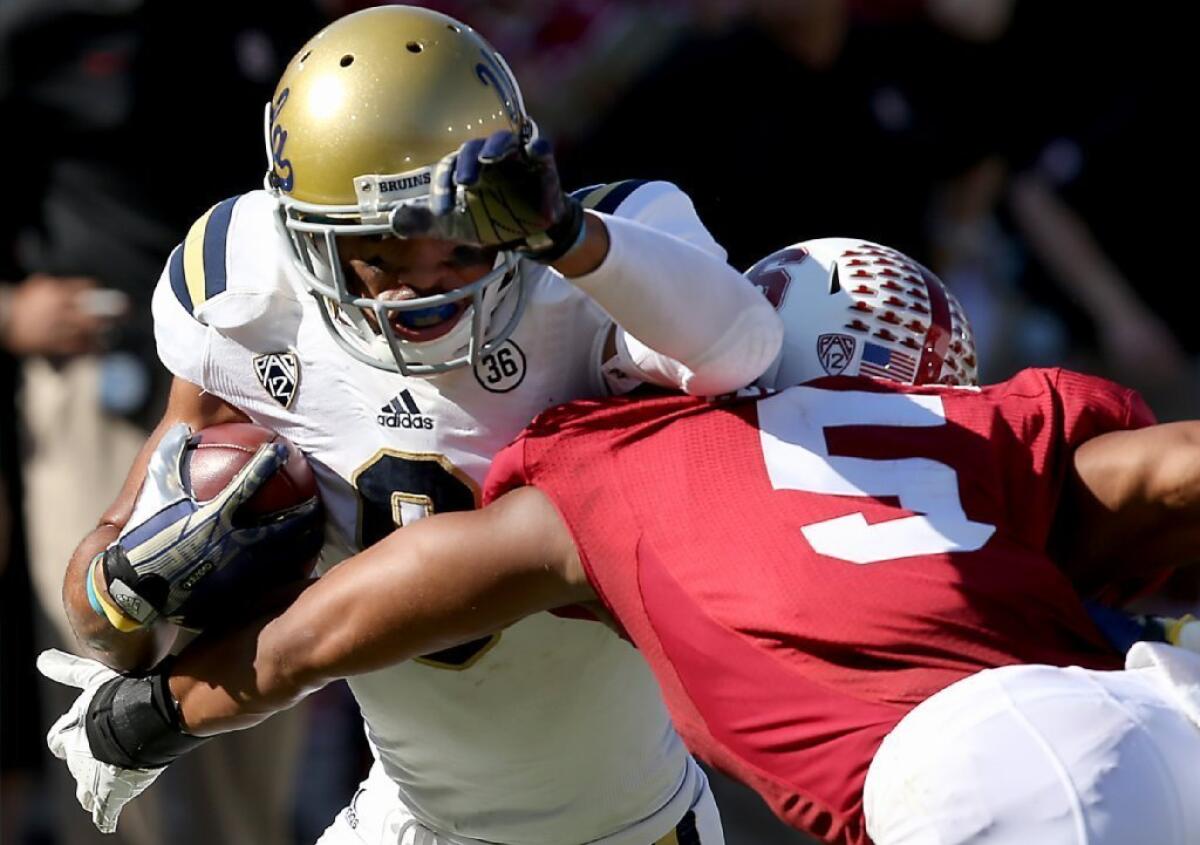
(103, 789)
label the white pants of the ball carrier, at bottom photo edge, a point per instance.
(376, 817)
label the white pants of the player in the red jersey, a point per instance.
(1048, 756)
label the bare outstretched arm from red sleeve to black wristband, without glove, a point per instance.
(436, 584)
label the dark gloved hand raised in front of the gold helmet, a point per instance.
(500, 193)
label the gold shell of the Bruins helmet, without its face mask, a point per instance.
(383, 92)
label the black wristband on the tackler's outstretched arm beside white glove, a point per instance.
(135, 723)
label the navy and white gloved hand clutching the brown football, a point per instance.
(173, 542)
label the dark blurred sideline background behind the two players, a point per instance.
(1031, 153)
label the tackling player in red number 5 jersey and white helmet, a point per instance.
(862, 597)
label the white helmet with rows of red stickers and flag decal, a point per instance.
(853, 308)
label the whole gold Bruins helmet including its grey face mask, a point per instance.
(359, 119)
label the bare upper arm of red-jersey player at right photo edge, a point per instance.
(1135, 498)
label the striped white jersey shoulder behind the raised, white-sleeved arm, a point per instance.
(659, 205)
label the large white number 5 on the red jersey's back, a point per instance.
(793, 435)
